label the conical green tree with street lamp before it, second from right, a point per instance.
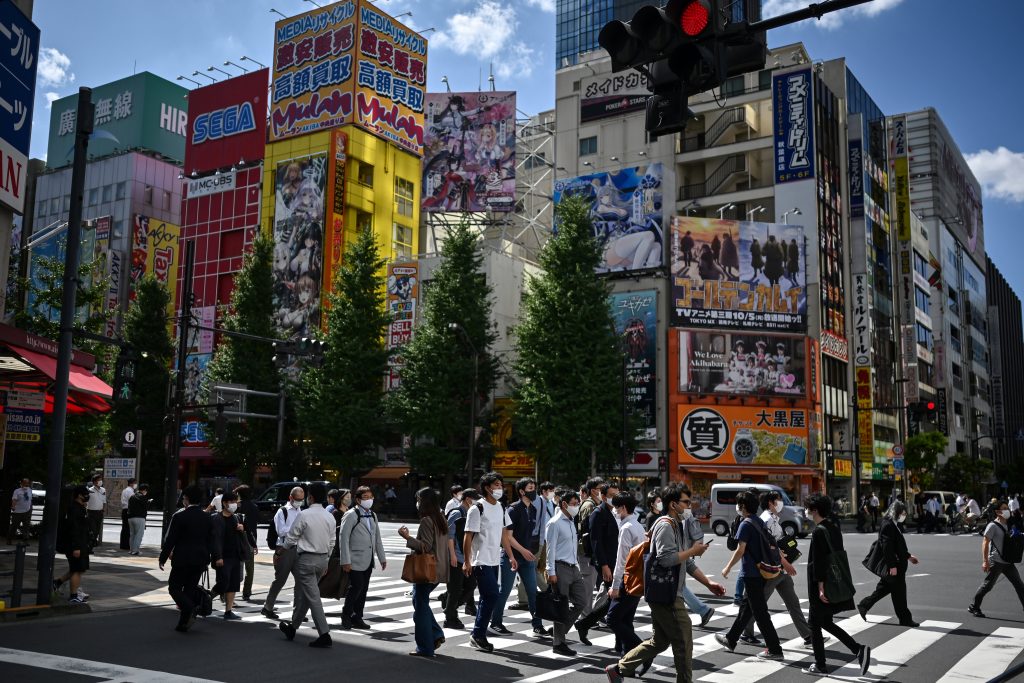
(433, 404)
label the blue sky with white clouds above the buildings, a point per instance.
(962, 59)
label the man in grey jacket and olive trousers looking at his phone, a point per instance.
(671, 622)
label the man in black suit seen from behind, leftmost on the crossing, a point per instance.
(190, 544)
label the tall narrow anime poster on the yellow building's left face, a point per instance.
(298, 244)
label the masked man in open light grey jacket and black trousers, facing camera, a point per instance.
(360, 538)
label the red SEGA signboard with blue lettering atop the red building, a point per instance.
(228, 123)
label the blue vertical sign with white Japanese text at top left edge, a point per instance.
(19, 57)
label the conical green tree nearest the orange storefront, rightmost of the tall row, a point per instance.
(570, 365)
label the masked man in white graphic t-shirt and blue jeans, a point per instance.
(485, 538)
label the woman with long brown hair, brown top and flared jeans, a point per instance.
(432, 538)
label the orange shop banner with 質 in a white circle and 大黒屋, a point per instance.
(743, 436)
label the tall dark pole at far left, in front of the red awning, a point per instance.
(55, 462)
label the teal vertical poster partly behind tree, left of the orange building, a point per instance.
(636, 321)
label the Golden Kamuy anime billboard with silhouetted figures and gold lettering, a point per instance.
(739, 275)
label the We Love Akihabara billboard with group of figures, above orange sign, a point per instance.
(743, 364)
